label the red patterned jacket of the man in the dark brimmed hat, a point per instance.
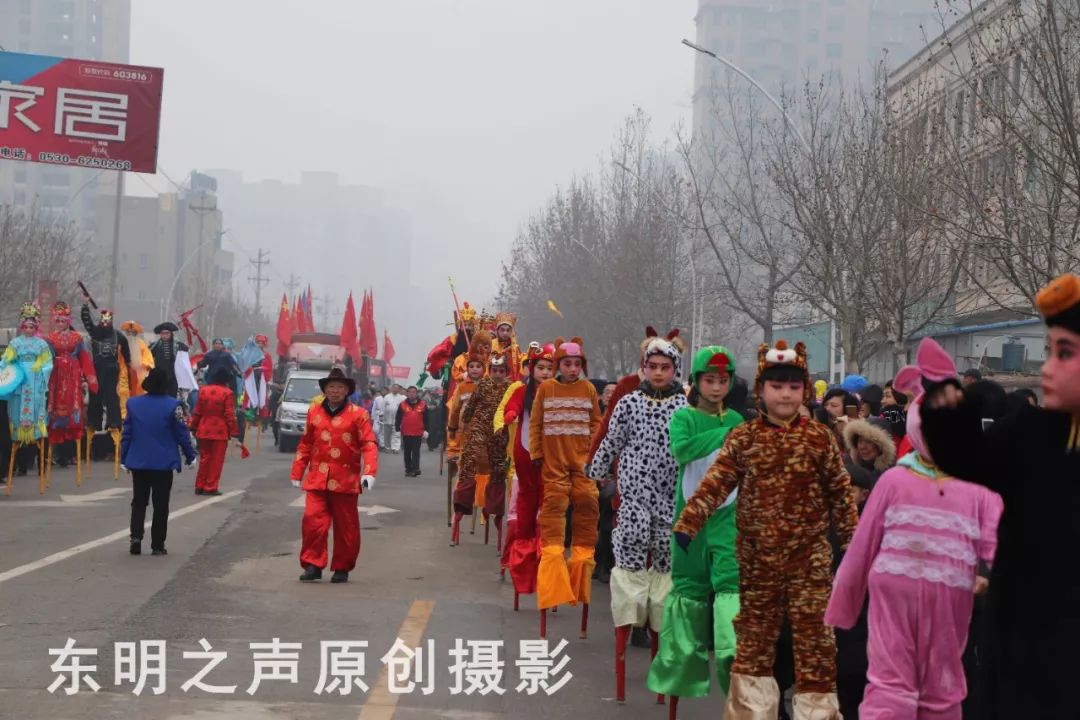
(337, 451)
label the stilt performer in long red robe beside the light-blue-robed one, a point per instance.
(72, 364)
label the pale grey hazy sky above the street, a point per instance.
(469, 113)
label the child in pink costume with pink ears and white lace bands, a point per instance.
(917, 548)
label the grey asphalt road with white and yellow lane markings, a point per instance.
(231, 578)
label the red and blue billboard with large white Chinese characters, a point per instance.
(79, 113)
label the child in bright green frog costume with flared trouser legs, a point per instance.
(705, 596)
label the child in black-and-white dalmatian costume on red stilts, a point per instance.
(639, 438)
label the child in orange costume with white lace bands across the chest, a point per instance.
(565, 416)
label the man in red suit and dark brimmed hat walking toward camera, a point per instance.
(341, 456)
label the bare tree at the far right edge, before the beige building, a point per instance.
(1004, 124)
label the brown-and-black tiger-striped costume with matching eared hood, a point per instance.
(792, 484)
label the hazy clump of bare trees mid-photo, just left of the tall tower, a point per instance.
(609, 251)
